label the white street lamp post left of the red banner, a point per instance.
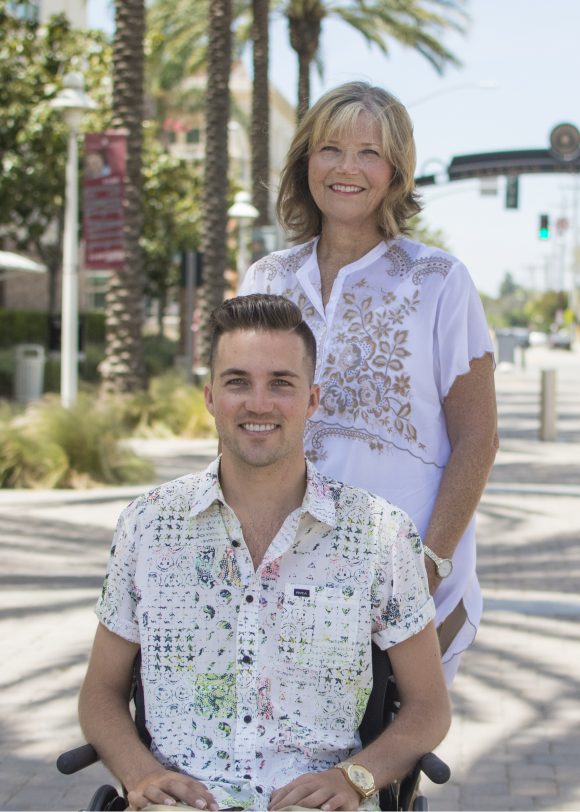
(73, 102)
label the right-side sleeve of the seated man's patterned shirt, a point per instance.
(402, 605)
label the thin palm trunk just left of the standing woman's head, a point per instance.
(260, 134)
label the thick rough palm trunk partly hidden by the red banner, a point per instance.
(123, 369)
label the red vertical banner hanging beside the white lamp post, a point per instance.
(103, 186)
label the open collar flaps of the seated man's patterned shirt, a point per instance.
(319, 499)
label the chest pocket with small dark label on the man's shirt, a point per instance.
(319, 625)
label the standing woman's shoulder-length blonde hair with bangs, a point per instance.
(336, 113)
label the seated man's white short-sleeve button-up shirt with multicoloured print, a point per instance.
(253, 677)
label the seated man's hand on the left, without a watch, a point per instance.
(167, 787)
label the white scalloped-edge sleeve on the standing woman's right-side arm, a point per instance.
(461, 330)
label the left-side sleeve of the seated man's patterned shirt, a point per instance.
(117, 604)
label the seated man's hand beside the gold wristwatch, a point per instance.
(326, 790)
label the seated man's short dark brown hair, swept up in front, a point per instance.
(260, 311)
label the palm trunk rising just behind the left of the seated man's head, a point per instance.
(215, 217)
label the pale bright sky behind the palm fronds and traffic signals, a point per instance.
(529, 50)
